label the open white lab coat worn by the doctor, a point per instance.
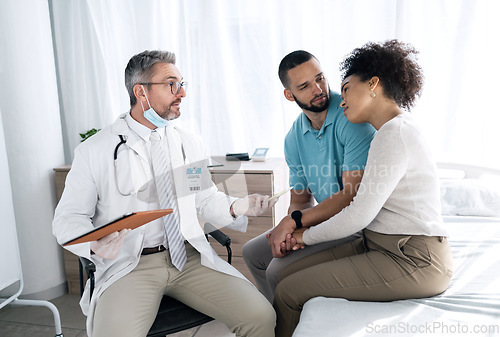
(91, 199)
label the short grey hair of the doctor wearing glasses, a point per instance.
(140, 69)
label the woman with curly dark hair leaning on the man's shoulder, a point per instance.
(403, 252)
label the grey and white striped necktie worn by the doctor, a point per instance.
(167, 199)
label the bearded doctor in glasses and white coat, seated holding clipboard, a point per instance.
(116, 172)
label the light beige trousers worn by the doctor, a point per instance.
(128, 308)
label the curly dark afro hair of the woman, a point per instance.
(394, 63)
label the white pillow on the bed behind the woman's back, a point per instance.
(469, 197)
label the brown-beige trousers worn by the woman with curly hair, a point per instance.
(376, 267)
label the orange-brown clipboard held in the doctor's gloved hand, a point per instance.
(130, 220)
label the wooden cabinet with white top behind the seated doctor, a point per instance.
(234, 178)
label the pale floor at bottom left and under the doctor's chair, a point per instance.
(23, 321)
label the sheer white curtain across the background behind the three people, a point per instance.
(229, 51)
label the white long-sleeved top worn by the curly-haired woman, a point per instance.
(399, 191)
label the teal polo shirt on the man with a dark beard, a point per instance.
(317, 158)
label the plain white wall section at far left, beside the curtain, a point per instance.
(32, 129)
